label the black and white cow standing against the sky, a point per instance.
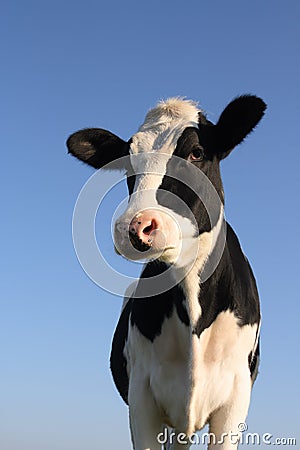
(185, 351)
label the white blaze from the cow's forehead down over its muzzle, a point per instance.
(151, 148)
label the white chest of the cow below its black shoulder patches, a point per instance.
(181, 372)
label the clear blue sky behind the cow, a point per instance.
(66, 65)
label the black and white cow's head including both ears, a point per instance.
(176, 195)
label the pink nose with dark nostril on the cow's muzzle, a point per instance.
(144, 224)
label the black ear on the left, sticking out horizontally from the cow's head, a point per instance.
(98, 147)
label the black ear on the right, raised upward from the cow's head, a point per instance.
(237, 120)
